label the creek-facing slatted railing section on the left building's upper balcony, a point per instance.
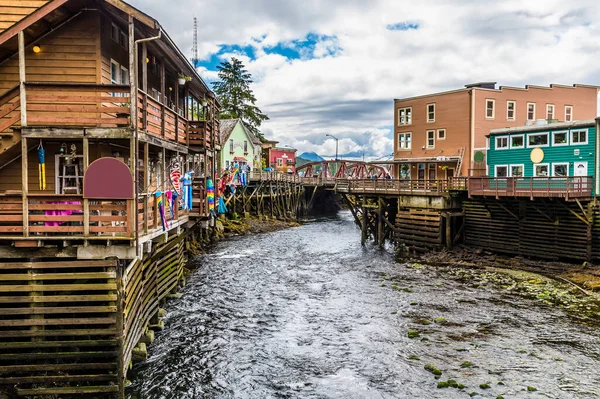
(159, 120)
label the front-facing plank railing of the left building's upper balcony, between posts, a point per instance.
(85, 105)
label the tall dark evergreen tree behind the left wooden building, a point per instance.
(236, 98)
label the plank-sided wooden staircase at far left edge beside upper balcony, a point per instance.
(10, 120)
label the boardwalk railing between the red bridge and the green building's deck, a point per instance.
(389, 186)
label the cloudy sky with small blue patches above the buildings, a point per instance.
(334, 66)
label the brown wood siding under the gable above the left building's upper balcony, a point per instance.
(70, 55)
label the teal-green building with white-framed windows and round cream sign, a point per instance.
(556, 150)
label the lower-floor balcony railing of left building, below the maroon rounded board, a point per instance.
(71, 217)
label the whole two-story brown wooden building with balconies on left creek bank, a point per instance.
(108, 138)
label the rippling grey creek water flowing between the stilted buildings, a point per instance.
(306, 313)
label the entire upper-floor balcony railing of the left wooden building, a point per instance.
(59, 105)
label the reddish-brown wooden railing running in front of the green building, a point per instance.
(561, 187)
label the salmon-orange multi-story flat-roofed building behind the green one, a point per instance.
(442, 135)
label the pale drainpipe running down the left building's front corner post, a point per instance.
(133, 81)
